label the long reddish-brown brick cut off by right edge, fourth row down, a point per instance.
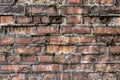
(107, 30)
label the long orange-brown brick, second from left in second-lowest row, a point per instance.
(50, 67)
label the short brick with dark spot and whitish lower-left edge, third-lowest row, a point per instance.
(89, 58)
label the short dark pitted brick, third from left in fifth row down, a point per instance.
(38, 39)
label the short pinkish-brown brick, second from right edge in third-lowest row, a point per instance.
(105, 58)
